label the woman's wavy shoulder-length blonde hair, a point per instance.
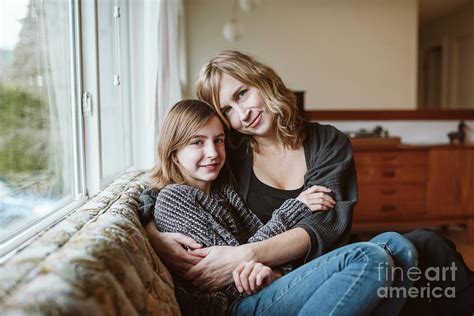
(280, 100)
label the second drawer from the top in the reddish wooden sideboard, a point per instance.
(391, 174)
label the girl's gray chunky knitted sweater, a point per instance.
(220, 218)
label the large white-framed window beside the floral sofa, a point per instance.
(53, 150)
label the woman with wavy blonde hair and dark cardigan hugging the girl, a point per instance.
(279, 156)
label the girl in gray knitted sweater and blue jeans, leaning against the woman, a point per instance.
(196, 200)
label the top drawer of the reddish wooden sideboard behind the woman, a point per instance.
(390, 158)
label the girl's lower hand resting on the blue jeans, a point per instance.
(251, 276)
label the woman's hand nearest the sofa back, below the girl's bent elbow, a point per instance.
(171, 248)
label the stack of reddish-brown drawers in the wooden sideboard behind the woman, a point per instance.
(392, 184)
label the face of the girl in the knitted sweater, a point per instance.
(204, 155)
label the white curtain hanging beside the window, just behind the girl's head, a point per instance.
(158, 69)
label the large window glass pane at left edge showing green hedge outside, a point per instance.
(36, 137)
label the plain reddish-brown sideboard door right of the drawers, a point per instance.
(450, 184)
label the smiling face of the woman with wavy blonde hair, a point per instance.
(243, 106)
